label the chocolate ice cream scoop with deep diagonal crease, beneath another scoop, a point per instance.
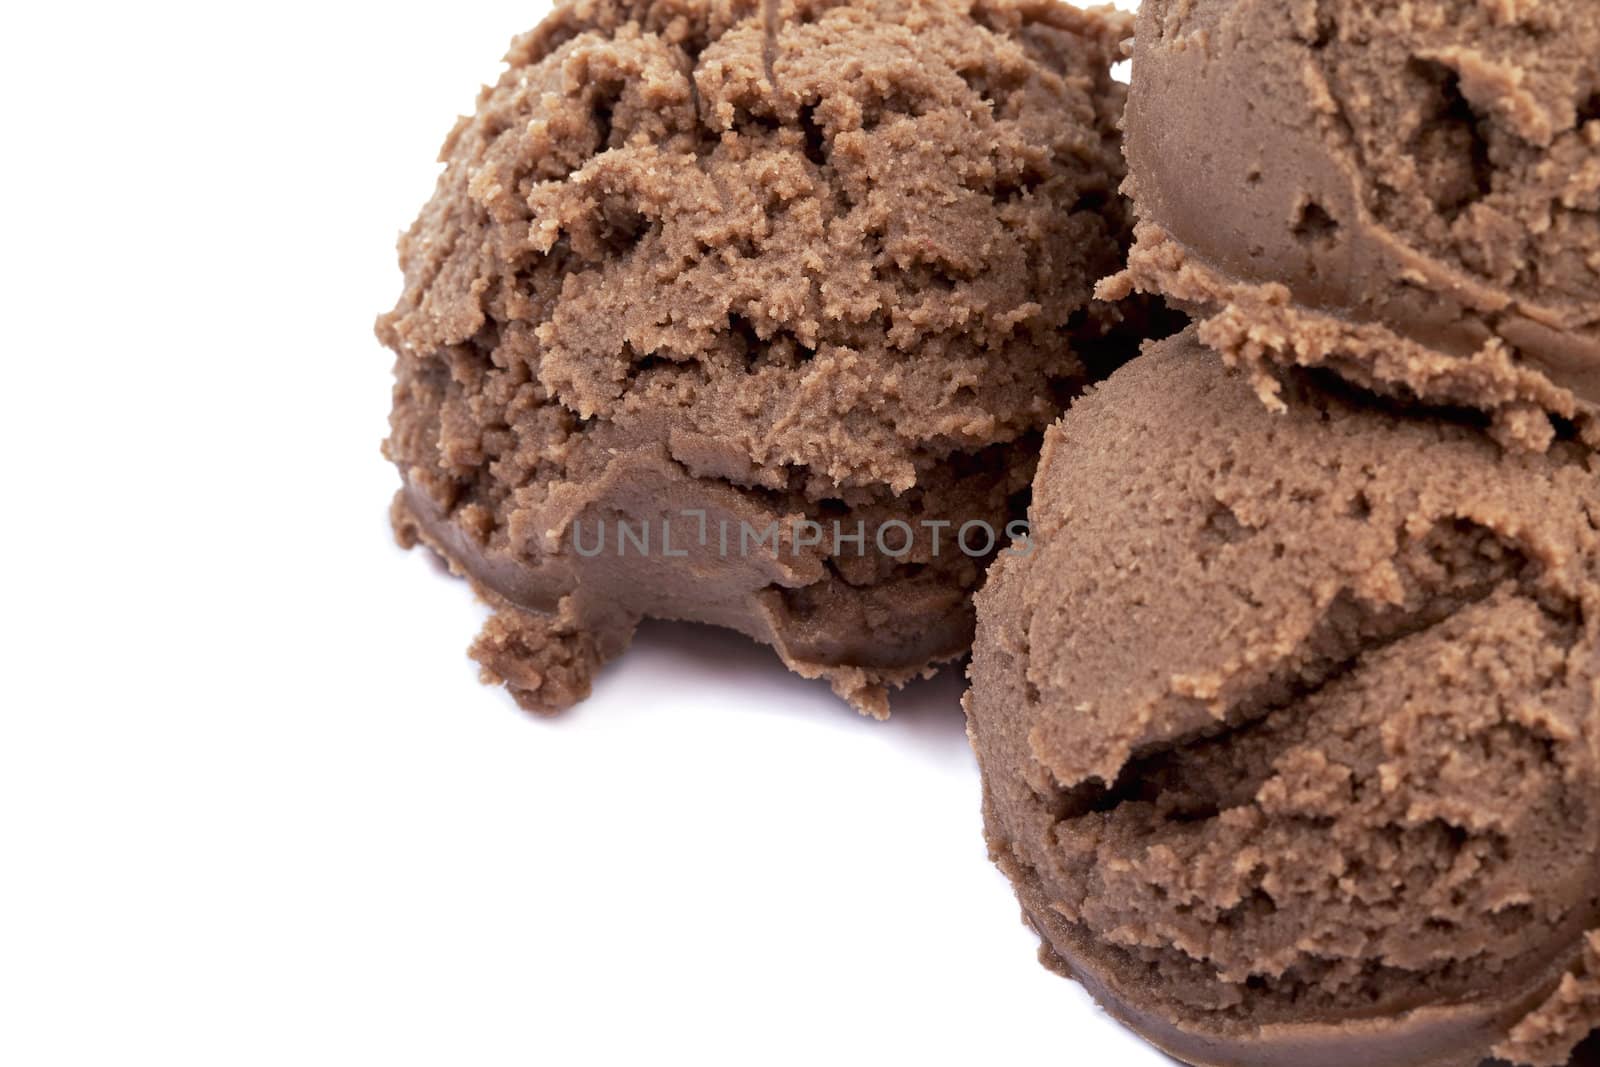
(1290, 724)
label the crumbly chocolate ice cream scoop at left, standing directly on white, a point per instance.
(718, 271)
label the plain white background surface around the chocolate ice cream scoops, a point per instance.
(255, 807)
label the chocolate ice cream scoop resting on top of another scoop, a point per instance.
(1402, 191)
